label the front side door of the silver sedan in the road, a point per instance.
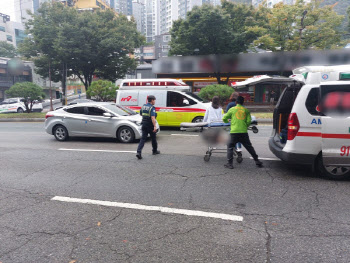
(97, 124)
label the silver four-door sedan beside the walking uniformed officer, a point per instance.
(94, 119)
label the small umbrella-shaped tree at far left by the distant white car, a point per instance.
(27, 90)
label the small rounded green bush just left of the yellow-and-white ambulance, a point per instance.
(102, 90)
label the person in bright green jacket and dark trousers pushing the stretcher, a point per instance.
(240, 120)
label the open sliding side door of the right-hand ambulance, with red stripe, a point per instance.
(335, 104)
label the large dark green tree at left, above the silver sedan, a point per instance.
(81, 43)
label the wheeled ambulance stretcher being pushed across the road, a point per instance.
(216, 135)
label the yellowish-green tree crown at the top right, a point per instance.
(299, 26)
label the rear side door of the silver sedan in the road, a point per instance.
(76, 121)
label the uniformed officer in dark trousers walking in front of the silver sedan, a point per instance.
(148, 113)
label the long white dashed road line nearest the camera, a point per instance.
(149, 208)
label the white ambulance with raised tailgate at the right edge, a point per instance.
(312, 138)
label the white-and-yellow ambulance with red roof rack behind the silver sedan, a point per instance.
(174, 101)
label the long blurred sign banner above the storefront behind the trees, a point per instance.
(250, 62)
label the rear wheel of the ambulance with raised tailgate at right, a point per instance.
(332, 172)
